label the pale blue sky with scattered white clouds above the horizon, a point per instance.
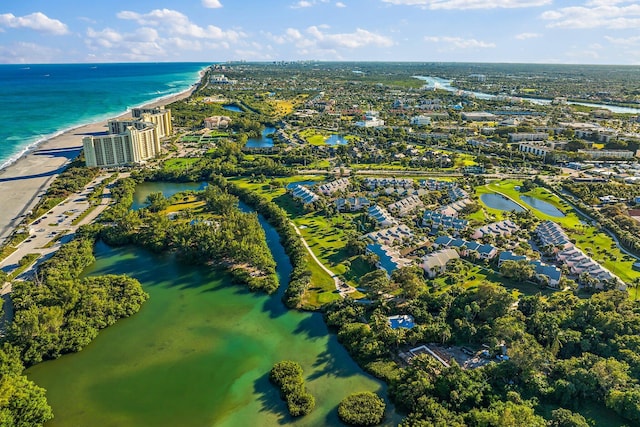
(541, 31)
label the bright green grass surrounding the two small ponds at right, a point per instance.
(591, 240)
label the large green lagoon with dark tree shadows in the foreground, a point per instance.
(198, 353)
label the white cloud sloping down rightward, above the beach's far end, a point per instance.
(177, 23)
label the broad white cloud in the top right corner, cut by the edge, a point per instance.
(595, 14)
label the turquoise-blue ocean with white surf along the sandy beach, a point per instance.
(40, 101)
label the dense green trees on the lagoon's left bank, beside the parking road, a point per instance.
(60, 312)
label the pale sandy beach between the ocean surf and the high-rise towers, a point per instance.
(24, 180)
